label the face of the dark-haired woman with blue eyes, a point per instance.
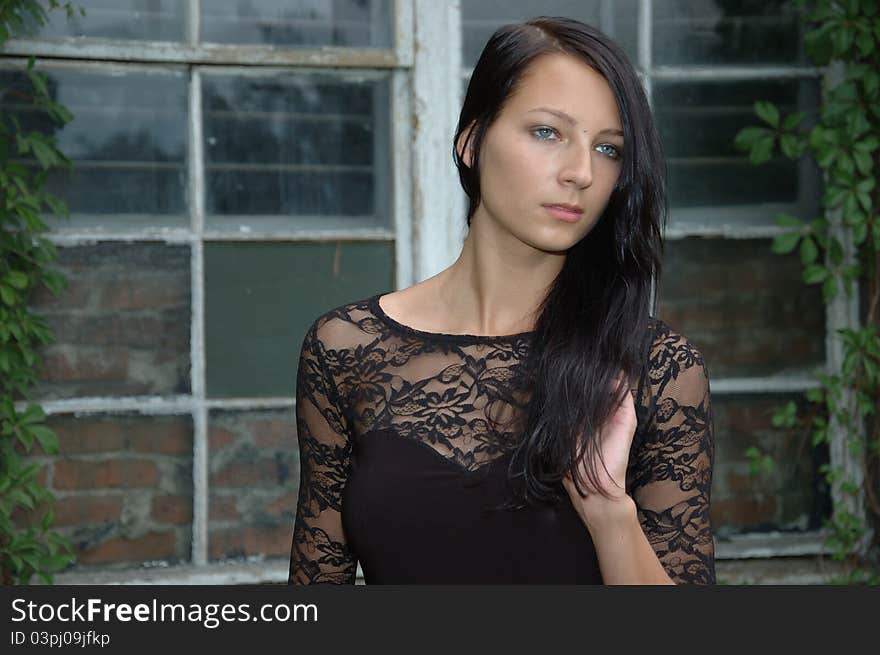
(558, 139)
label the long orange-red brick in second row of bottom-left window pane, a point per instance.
(117, 473)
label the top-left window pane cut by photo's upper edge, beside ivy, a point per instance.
(138, 20)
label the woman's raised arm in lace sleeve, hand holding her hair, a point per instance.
(657, 531)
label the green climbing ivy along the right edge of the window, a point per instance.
(844, 142)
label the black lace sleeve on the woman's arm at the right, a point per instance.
(673, 465)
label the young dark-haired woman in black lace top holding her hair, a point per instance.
(519, 417)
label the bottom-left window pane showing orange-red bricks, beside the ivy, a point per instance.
(123, 487)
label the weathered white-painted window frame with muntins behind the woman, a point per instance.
(428, 227)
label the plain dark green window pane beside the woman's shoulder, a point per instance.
(260, 298)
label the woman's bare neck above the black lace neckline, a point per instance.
(498, 281)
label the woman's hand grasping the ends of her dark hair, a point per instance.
(614, 439)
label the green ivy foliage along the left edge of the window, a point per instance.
(28, 544)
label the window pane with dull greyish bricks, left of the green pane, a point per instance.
(122, 325)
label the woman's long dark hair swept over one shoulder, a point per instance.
(594, 322)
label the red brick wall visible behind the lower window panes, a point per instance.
(124, 482)
